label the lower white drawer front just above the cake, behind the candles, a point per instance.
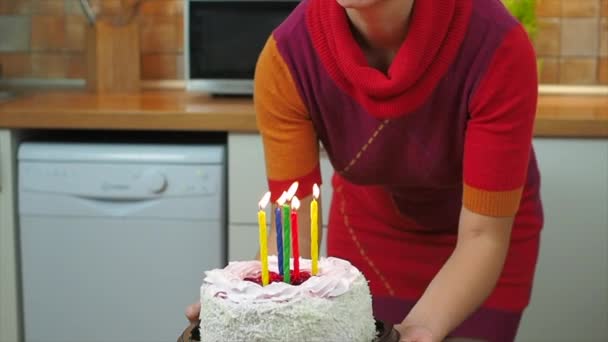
(243, 242)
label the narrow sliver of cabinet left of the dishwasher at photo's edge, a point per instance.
(9, 318)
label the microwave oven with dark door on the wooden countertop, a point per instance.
(224, 39)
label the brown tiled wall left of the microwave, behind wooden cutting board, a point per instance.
(46, 38)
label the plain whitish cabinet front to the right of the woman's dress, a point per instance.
(570, 295)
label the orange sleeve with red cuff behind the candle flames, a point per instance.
(291, 147)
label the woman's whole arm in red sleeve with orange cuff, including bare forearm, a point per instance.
(496, 155)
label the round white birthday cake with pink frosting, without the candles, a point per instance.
(333, 305)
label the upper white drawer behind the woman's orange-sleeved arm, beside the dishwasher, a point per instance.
(247, 178)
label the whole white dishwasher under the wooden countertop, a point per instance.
(114, 237)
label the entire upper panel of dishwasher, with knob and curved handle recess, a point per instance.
(132, 181)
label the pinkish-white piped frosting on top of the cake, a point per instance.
(335, 278)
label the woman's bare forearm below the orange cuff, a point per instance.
(466, 279)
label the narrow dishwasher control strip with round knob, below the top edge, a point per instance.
(120, 180)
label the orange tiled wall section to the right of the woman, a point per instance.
(572, 41)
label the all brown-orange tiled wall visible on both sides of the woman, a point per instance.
(45, 39)
